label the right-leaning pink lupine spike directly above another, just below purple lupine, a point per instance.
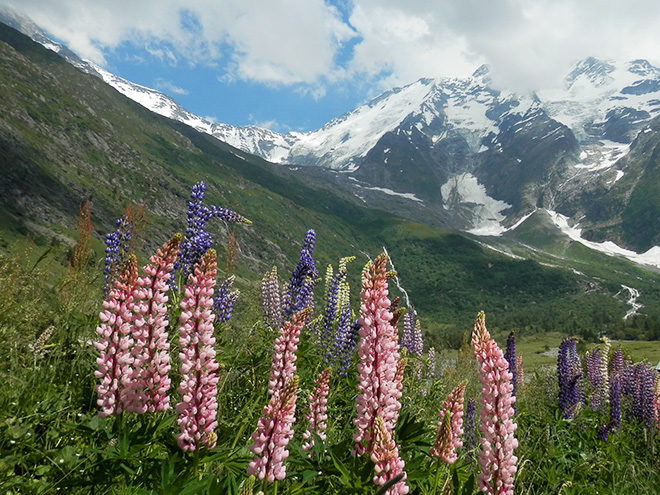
(283, 366)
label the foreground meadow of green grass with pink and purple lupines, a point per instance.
(133, 376)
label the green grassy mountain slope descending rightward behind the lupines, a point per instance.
(66, 137)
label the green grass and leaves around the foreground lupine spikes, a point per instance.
(52, 437)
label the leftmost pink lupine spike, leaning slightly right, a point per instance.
(115, 342)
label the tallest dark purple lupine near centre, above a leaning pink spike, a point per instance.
(299, 293)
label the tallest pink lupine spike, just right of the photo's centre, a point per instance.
(378, 348)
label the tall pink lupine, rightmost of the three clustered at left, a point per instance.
(199, 378)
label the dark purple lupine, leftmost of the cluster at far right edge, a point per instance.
(569, 376)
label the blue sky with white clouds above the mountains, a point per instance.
(292, 65)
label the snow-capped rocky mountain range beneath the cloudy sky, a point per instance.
(460, 154)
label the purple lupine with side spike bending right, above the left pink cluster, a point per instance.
(197, 240)
